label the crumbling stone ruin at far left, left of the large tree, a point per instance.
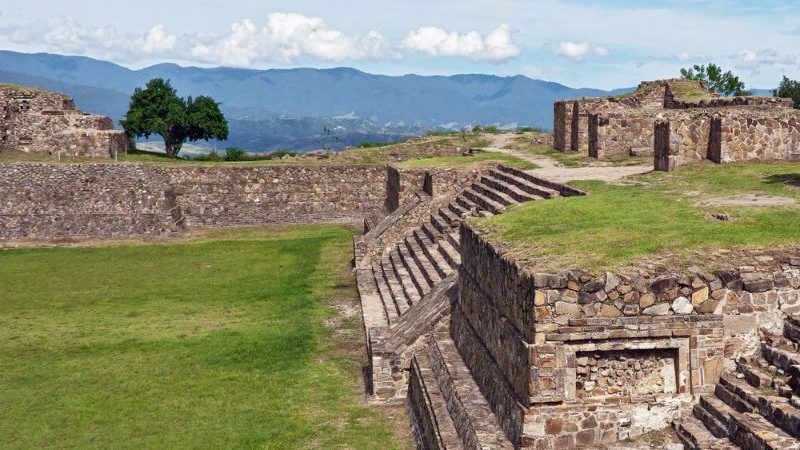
(35, 121)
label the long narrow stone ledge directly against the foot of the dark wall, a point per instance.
(476, 424)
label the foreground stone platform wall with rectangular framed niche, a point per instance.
(589, 359)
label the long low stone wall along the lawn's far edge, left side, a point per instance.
(46, 201)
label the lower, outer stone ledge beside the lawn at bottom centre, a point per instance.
(430, 419)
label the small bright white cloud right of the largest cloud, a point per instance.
(496, 46)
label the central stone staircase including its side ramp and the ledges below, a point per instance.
(407, 295)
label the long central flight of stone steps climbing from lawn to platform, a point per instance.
(407, 272)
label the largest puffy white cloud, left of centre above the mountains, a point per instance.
(285, 38)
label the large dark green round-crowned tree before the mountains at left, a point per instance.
(157, 109)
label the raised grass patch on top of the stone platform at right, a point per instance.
(659, 213)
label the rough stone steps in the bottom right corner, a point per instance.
(755, 408)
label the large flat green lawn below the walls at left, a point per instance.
(225, 340)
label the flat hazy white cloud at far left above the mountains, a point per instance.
(70, 36)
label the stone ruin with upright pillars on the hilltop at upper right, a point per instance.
(655, 120)
